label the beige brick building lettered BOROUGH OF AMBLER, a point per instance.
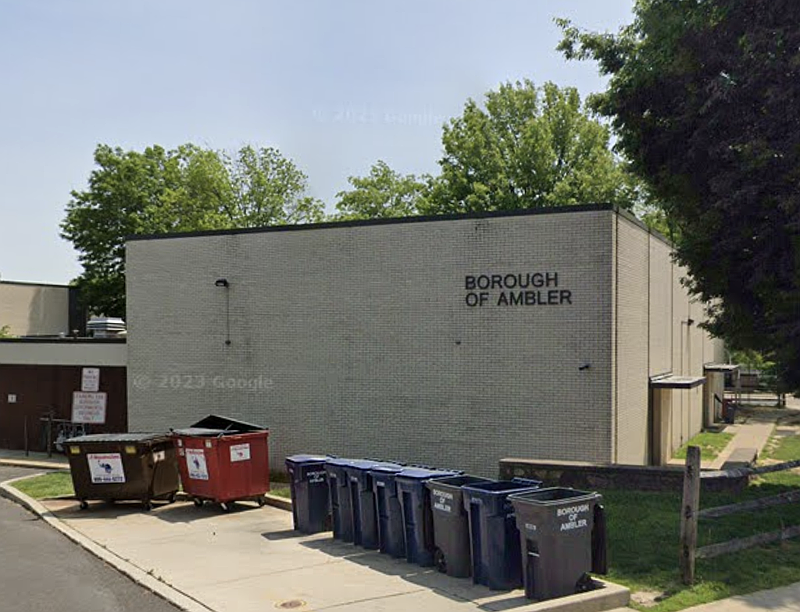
(560, 334)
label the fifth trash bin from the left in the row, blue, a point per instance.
(415, 506)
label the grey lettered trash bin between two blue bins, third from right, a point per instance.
(451, 525)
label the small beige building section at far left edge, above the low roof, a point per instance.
(34, 309)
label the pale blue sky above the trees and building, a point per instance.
(335, 85)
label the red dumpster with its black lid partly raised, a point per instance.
(223, 460)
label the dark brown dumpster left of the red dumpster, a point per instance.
(123, 467)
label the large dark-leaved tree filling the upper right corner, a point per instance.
(703, 95)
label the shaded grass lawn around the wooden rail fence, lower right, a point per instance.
(644, 528)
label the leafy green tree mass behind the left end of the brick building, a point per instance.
(185, 189)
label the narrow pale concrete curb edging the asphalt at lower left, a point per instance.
(139, 576)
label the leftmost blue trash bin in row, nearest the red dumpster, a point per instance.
(308, 481)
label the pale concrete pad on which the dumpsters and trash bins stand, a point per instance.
(252, 560)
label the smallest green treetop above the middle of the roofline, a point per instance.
(383, 193)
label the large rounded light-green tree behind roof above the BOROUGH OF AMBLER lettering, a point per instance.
(528, 147)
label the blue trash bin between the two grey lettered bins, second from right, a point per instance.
(493, 533)
